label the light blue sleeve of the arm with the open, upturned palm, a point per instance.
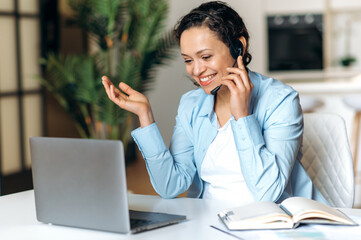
(171, 171)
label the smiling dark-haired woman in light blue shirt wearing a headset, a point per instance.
(241, 144)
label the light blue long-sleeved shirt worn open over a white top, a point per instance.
(268, 143)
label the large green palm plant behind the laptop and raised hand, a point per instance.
(131, 43)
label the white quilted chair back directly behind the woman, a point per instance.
(327, 157)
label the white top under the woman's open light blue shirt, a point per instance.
(221, 170)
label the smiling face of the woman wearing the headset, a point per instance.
(206, 57)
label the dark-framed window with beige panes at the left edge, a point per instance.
(21, 96)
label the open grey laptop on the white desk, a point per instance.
(82, 183)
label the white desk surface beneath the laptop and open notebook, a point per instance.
(18, 221)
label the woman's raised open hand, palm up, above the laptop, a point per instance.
(130, 100)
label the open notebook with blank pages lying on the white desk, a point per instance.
(289, 214)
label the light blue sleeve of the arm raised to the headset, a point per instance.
(268, 152)
